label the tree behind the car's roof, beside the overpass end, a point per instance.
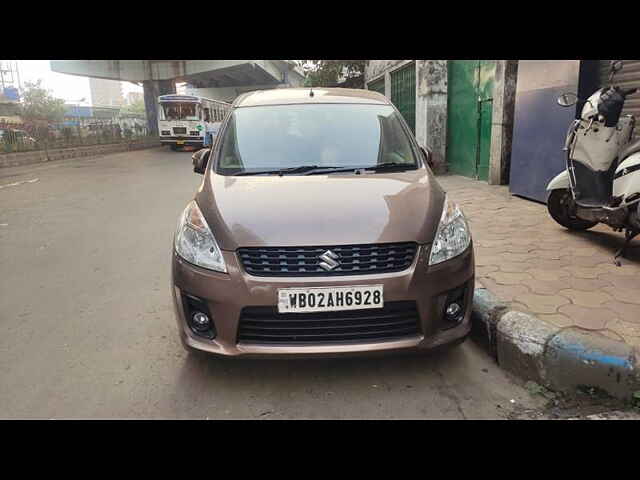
(334, 73)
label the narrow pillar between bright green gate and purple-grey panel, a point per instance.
(504, 101)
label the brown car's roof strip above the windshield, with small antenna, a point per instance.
(288, 96)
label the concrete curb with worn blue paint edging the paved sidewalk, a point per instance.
(562, 359)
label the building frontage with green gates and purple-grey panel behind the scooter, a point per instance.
(495, 120)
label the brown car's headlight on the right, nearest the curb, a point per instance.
(452, 236)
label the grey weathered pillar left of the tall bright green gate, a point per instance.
(431, 109)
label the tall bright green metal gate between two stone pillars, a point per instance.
(469, 111)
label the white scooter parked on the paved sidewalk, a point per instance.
(601, 183)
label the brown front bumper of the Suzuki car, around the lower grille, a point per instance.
(226, 295)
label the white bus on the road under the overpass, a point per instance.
(185, 120)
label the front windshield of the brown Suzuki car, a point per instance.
(280, 137)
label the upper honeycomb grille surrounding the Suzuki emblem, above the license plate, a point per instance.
(305, 261)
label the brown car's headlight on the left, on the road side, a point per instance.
(194, 241)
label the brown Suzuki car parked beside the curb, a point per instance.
(319, 229)
